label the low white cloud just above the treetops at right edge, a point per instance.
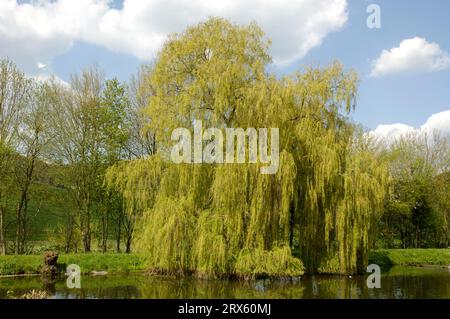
(439, 122)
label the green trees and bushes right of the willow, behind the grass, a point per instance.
(417, 214)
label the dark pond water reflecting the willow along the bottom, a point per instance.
(398, 283)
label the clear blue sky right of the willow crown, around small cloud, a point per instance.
(409, 98)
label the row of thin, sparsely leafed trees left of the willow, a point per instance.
(66, 136)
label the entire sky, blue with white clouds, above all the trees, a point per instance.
(409, 95)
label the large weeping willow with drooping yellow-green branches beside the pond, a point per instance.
(229, 219)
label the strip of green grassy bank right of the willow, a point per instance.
(410, 257)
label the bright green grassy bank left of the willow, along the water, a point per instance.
(110, 262)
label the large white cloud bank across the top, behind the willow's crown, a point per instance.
(34, 33)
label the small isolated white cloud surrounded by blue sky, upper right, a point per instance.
(412, 55)
